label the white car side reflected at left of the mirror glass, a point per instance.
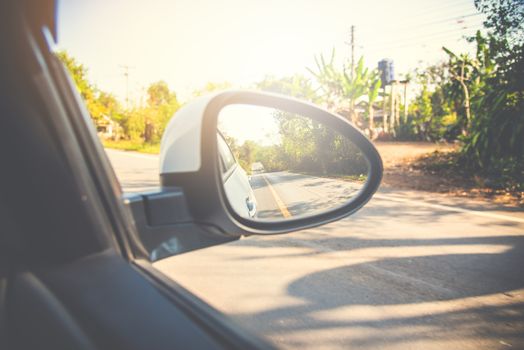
(236, 182)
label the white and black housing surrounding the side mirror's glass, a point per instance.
(189, 160)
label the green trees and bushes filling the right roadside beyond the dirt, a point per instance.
(480, 99)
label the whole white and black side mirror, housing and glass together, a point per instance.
(257, 163)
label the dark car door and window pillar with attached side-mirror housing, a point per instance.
(76, 253)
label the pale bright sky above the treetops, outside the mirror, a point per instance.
(188, 43)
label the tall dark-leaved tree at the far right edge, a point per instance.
(495, 142)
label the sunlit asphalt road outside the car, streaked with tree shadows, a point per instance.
(412, 270)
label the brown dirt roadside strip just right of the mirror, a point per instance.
(400, 171)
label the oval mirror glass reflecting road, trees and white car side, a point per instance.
(278, 165)
